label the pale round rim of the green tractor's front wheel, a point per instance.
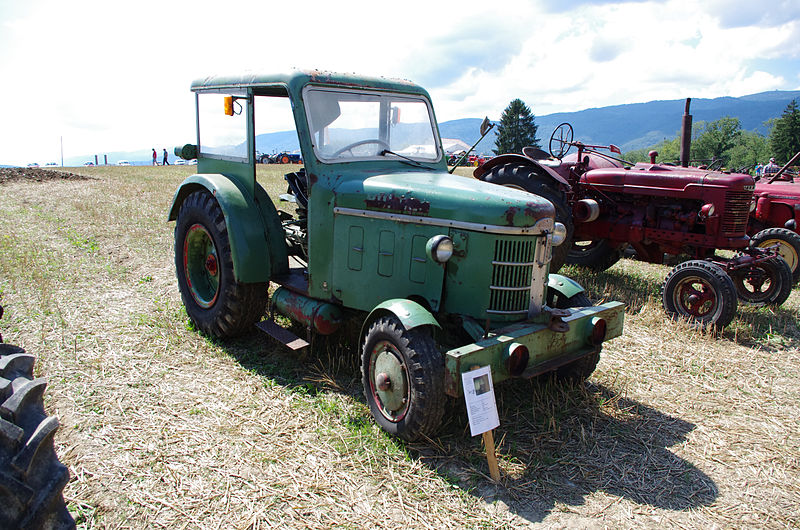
(388, 379)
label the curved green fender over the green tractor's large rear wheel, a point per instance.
(253, 225)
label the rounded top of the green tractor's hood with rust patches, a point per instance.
(444, 197)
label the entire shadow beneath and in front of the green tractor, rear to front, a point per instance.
(557, 443)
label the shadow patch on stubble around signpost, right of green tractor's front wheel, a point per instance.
(559, 443)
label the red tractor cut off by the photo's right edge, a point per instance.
(777, 214)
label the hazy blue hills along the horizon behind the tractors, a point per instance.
(632, 126)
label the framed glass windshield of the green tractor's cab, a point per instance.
(349, 125)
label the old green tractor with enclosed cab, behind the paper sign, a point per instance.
(445, 273)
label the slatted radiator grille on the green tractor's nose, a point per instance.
(511, 276)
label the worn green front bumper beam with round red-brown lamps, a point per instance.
(548, 348)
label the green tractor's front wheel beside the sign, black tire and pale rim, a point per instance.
(403, 375)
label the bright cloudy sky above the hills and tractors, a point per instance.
(101, 76)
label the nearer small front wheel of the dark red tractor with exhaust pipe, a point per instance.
(700, 292)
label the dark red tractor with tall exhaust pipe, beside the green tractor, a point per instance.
(608, 205)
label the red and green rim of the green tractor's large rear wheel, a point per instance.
(201, 265)
